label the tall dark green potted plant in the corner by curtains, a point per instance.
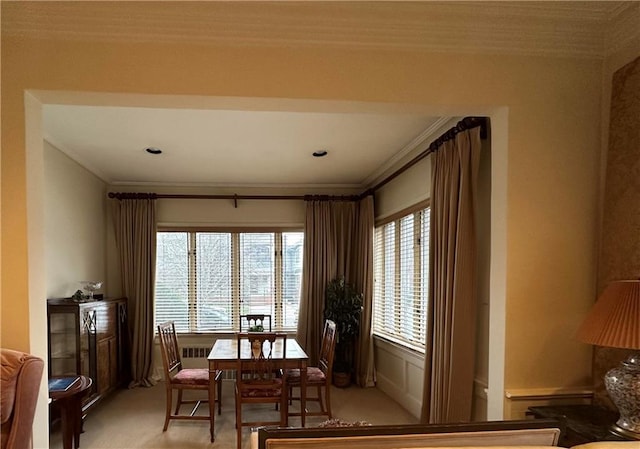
(343, 305)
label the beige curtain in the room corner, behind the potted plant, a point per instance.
(335, 247)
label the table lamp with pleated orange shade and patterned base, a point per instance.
(614, 321)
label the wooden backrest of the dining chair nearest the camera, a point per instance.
(260, 366)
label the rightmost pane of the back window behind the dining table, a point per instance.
(292, 246)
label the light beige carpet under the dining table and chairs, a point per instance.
(132, 419)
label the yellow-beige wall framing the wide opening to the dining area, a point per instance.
(548, 167)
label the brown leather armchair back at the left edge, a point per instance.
(21, 374)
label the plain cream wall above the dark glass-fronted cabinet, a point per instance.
(75, 224)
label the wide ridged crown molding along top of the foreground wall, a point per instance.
(569, 28)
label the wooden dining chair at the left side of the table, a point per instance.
(179, 378)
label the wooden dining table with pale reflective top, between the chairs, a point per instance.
(224, 356)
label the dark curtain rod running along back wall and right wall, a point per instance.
(463, 125)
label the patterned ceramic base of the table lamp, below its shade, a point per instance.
(623, 386)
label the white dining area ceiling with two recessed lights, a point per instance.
(224, 147)
